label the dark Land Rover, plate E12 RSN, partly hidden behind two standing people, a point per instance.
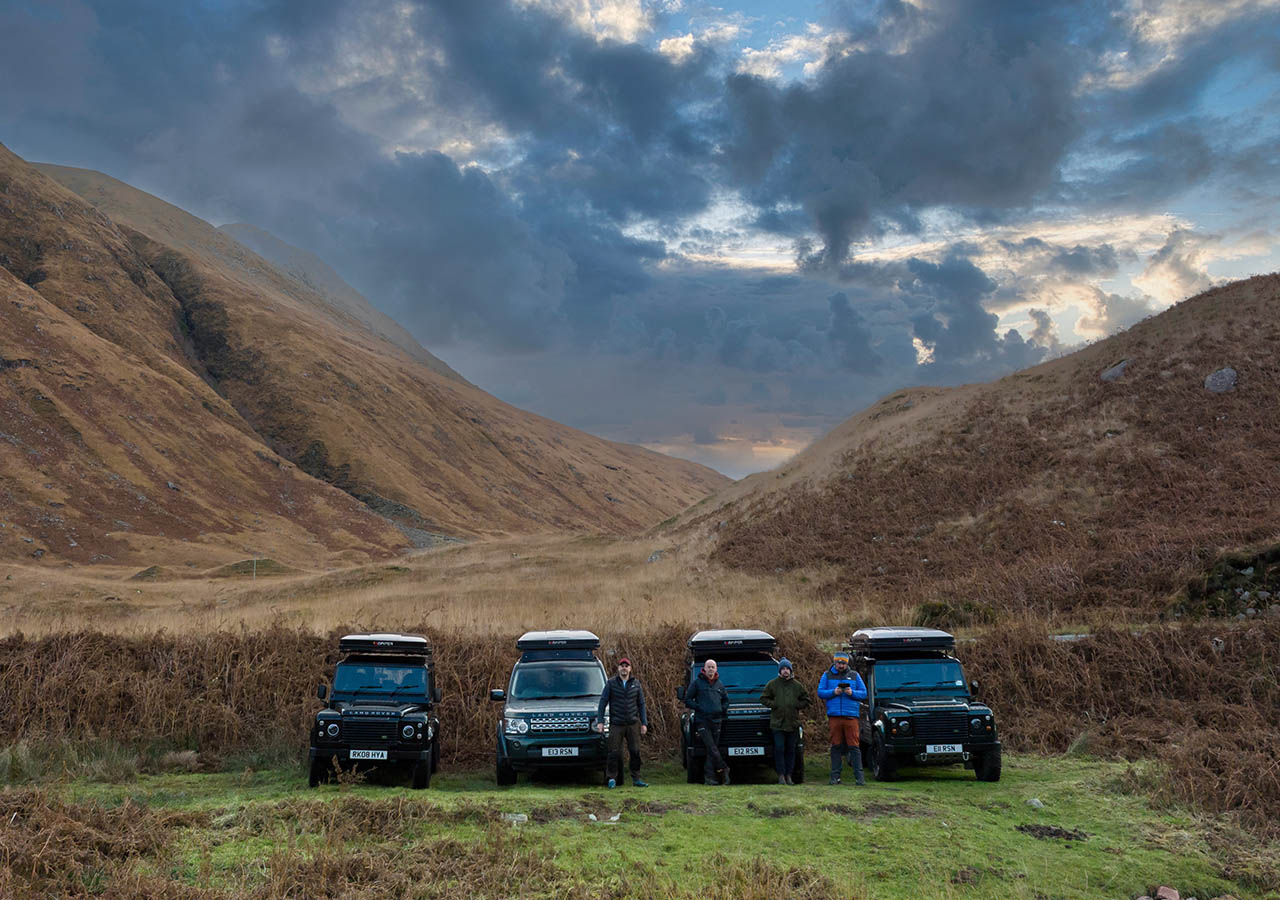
(747, 664)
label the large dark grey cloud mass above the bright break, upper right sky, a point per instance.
(977, 117)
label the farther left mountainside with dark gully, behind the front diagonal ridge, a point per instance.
(290, 368)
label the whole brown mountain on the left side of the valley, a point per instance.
(245, 349)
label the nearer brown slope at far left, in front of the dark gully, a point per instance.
(112, 449)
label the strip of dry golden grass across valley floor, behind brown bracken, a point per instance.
(499, 587)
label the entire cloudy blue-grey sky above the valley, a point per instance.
(717, 231)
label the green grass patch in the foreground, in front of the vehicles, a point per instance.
(936, 834)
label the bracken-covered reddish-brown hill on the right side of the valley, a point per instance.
(1054, 488)
